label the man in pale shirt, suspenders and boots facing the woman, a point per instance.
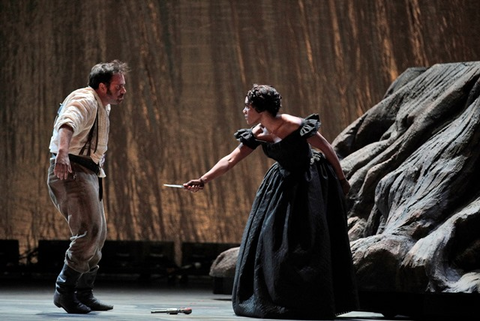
(78, 146)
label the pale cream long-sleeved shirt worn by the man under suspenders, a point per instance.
(79, 111)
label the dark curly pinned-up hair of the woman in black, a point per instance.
(264, 98)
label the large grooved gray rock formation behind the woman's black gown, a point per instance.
(412, 161)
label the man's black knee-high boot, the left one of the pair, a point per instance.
(65, 296)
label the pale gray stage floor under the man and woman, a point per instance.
(132, 300)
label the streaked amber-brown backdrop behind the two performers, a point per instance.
(192, 62)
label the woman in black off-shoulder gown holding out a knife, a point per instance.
(294, 260)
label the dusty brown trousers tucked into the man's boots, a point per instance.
(78, 200)
